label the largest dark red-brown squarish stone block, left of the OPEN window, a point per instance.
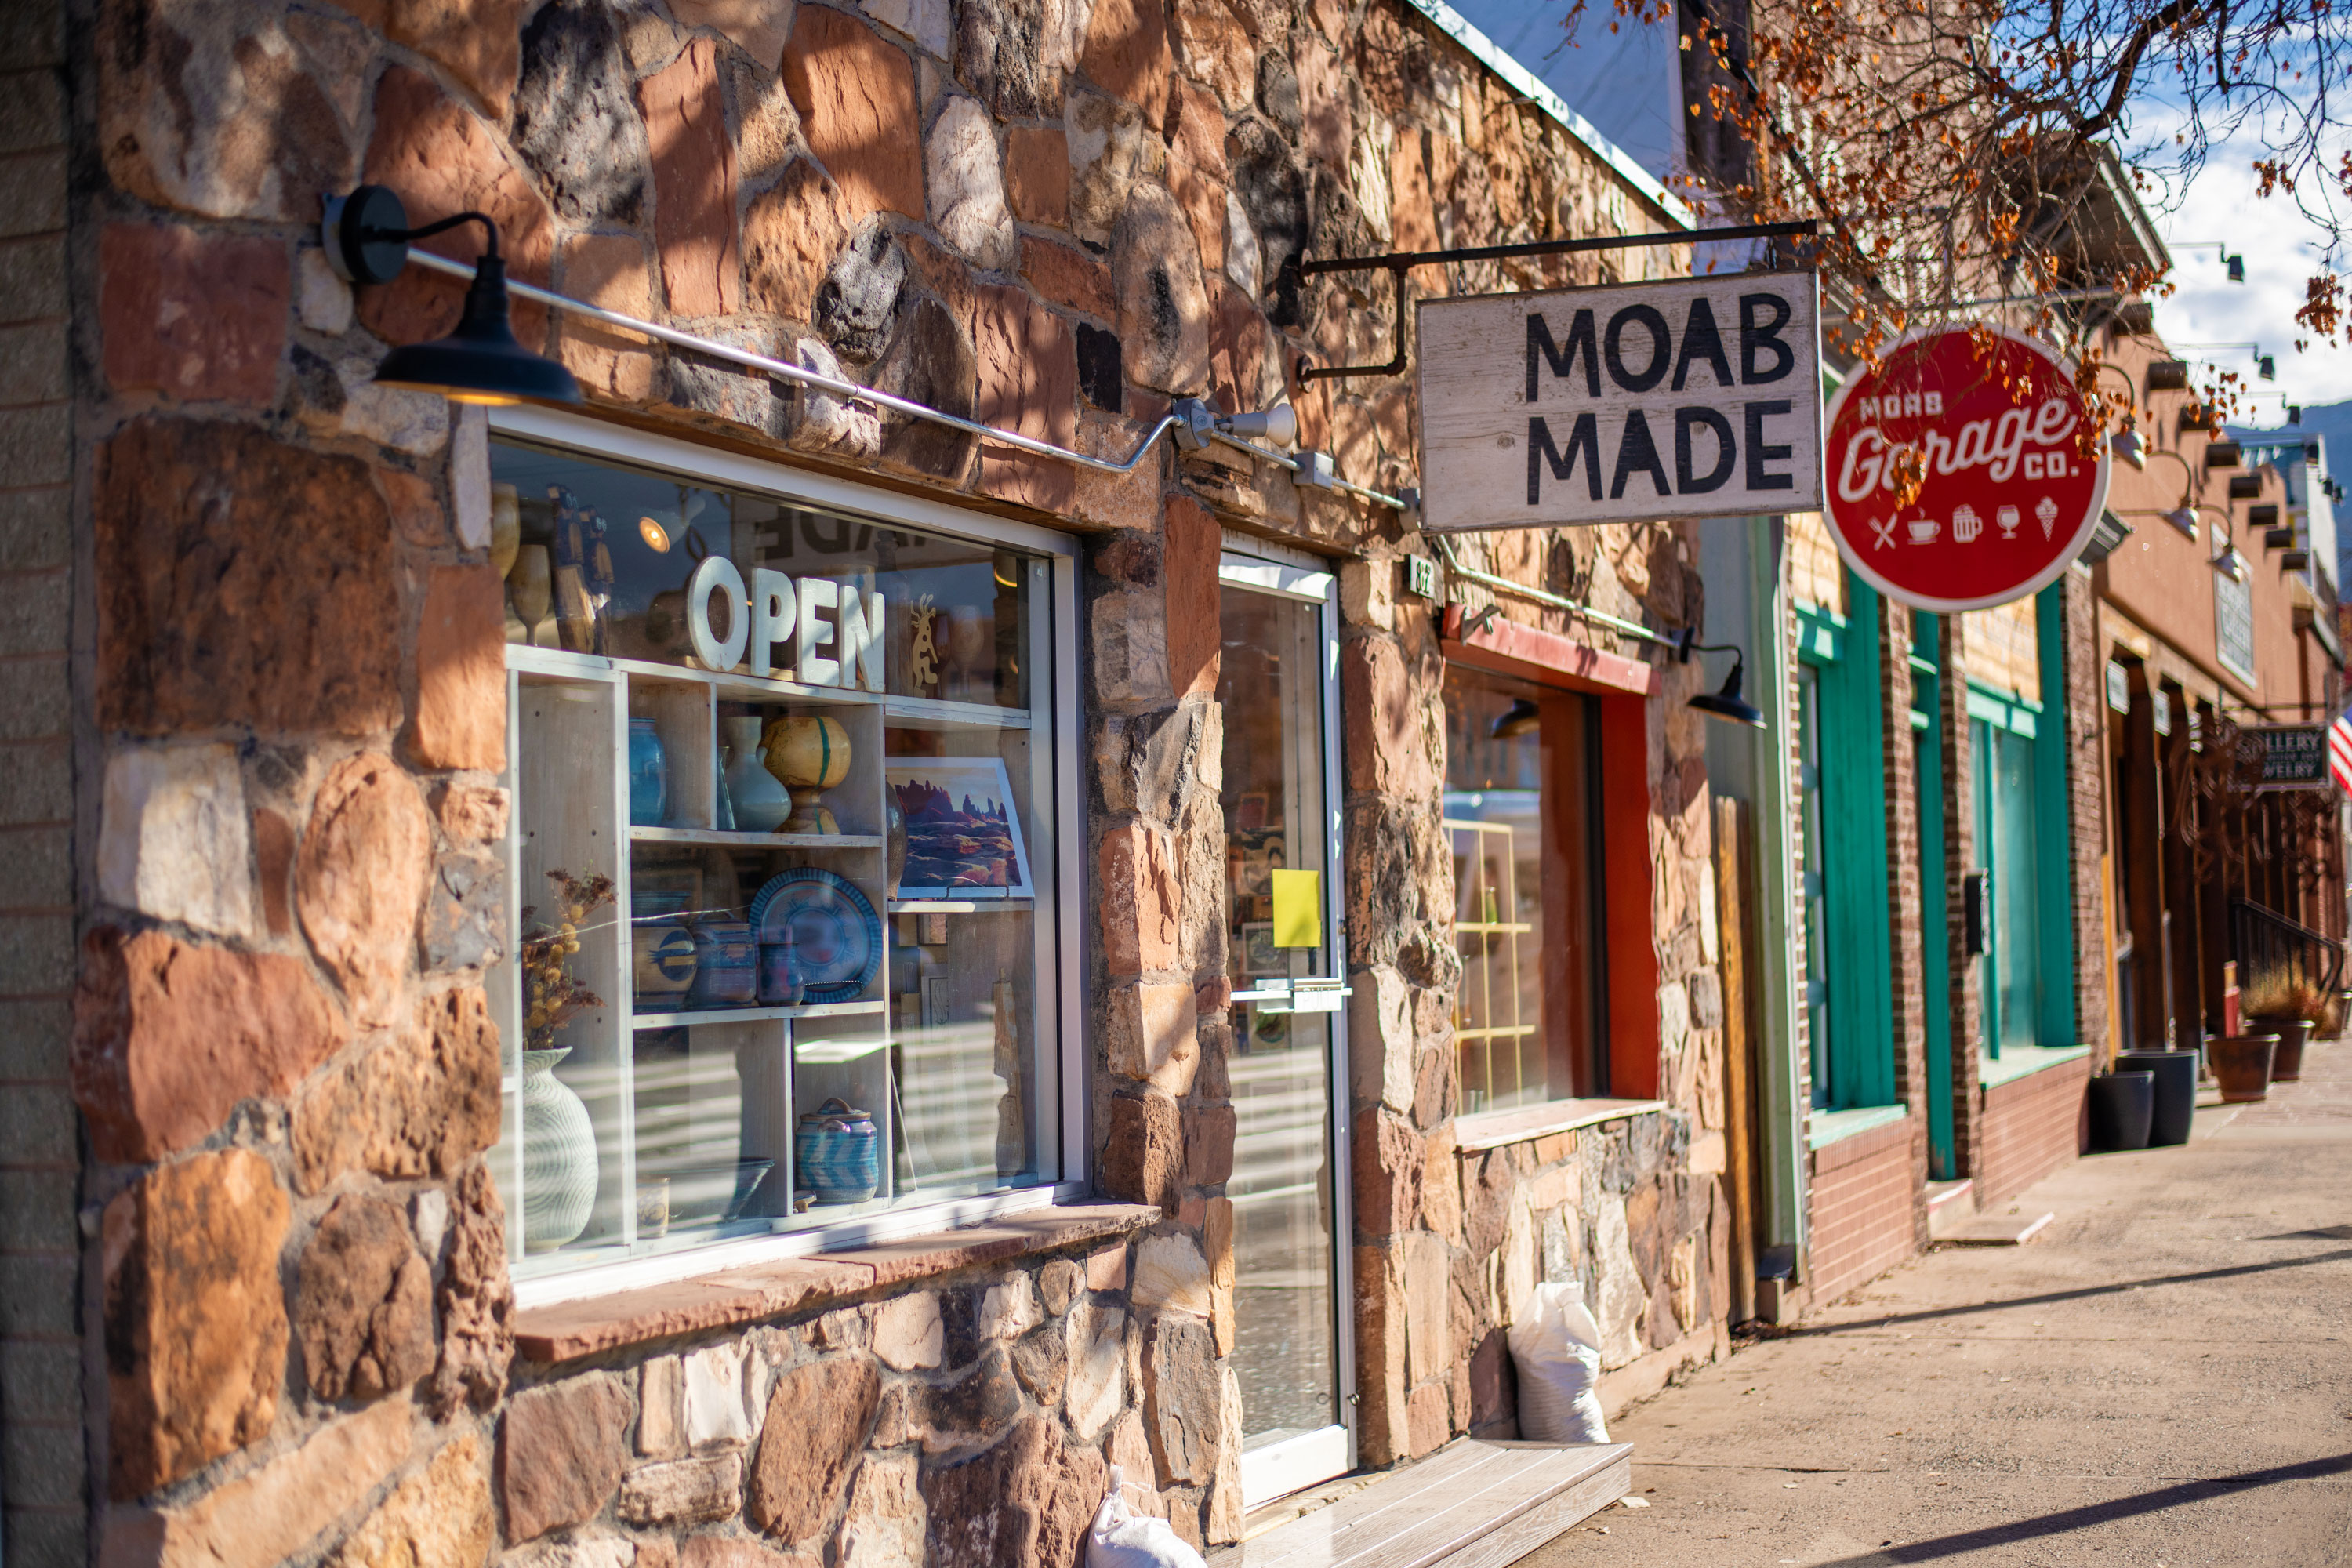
(208, 619)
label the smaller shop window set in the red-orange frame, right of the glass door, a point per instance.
(1518, 817)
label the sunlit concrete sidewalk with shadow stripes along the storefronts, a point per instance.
(2165, 1376)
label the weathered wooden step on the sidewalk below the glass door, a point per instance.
(1471, 1506)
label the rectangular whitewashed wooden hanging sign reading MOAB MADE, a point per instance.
(1690, 398)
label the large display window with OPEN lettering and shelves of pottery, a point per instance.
(782, 864)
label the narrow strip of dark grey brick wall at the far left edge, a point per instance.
(41, 1362)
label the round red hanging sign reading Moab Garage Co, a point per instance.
(2005, 497)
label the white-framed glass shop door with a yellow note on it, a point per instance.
(1285, 960)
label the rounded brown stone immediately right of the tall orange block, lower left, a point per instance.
(363, 1304)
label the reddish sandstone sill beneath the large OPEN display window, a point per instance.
(749, 1294)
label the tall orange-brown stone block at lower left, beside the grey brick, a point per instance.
(196, 1329)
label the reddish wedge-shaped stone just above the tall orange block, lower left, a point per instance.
(168, 1038)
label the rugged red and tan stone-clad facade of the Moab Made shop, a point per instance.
(265, 1308)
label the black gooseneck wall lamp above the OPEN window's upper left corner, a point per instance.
(368, 243)
